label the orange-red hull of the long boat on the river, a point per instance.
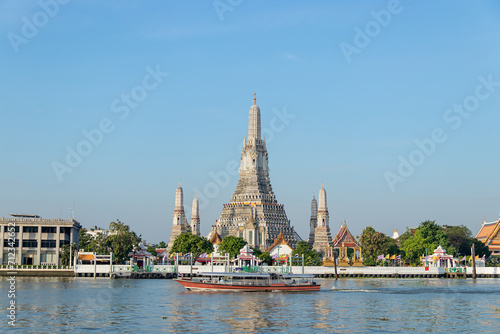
(202, 286)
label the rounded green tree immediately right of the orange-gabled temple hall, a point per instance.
(375, 243)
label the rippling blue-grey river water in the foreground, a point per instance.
(86, 305)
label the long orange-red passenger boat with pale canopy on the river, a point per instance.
(248, 282)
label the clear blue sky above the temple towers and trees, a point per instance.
(348, 119)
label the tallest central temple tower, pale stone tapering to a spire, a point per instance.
(253, 212)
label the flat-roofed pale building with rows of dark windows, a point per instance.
(36, 241)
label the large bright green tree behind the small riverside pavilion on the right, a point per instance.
(428, 236)
